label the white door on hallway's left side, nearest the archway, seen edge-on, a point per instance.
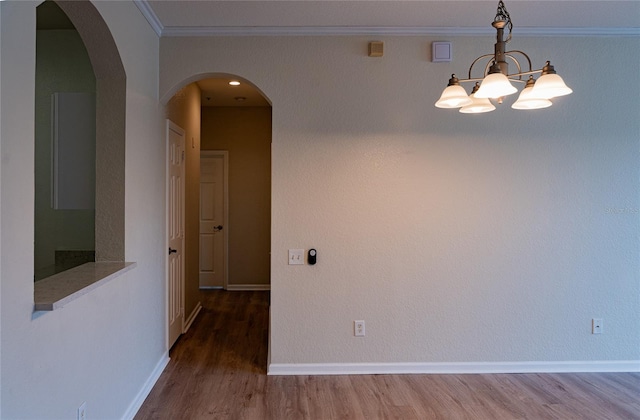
(175, 230)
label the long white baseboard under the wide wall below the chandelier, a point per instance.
(452, 368)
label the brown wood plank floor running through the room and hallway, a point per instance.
(218, 371)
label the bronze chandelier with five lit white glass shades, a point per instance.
(496, 82)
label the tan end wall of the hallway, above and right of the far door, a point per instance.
(246, 133)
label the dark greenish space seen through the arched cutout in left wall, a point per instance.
(64, 209)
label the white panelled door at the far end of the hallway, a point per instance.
(213, 215)
